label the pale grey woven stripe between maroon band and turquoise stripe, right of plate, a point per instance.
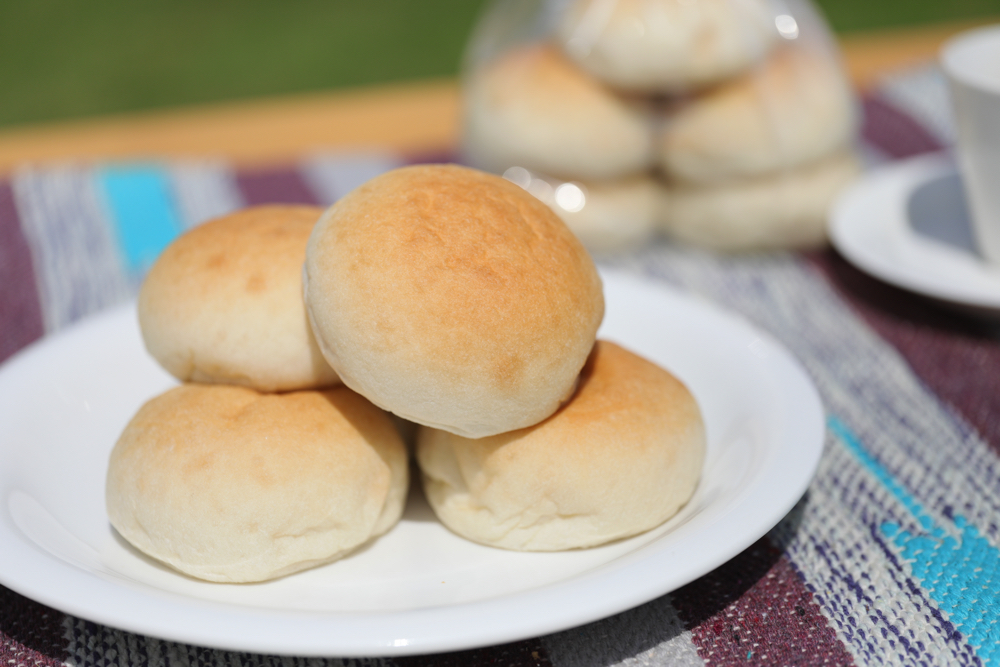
(862, 378)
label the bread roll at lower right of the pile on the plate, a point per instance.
(620, 458)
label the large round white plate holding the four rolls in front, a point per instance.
(418, 589)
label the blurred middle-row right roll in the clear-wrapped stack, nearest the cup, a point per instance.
(795, 109)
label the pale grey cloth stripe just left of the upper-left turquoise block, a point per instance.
(76, 257)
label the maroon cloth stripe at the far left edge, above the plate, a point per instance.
(20, 309)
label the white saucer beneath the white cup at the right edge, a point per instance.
(872, 225)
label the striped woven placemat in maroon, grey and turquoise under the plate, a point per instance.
(890, 558)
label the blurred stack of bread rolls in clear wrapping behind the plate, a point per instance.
(722, 123)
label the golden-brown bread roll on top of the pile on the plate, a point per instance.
(452, 298)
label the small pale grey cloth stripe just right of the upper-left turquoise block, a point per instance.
(204, 190)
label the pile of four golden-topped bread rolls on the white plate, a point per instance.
(440, 295)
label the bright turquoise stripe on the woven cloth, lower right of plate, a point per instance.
(961, 574)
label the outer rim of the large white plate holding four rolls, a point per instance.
(261, 624)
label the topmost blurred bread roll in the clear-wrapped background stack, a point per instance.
(666, 46)
